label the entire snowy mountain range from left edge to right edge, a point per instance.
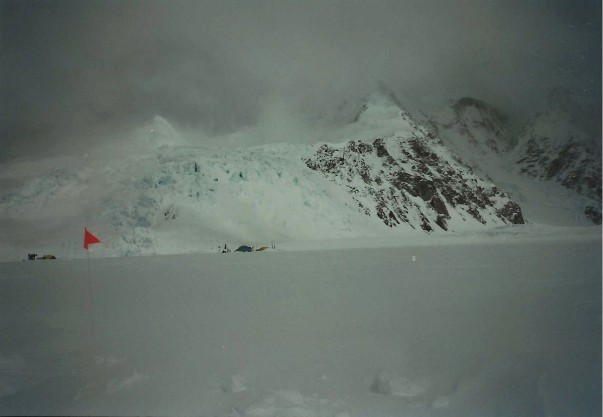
(150, 191)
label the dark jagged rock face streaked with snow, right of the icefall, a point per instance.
(413, 180)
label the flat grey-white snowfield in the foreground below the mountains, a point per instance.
(495, 324)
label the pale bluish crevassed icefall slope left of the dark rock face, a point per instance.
(180, 199)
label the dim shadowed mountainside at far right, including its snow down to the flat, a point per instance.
(551, 168)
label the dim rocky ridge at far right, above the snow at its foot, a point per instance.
(550, 148)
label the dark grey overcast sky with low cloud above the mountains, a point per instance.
(220, 65)
